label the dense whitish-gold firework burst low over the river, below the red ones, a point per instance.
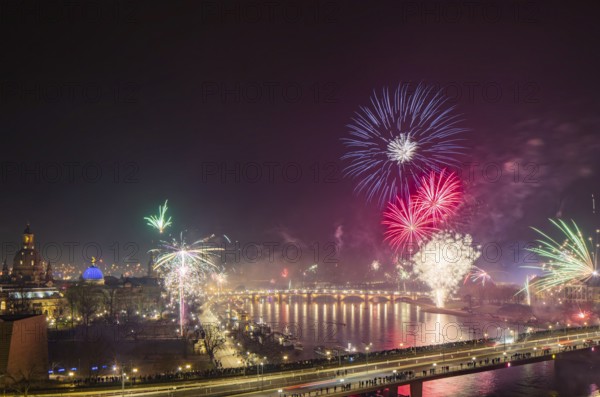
(443, 261)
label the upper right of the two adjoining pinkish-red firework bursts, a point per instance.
(439, 195)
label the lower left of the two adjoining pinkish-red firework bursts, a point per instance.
(408, 225)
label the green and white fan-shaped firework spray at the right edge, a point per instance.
(568, 262)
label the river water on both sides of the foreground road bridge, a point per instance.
(387, 326)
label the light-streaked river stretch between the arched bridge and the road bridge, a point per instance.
(384, 325)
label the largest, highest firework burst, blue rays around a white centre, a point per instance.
(400, 136)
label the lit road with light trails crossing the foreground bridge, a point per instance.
(311, 380)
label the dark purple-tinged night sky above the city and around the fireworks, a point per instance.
(109, 108)
